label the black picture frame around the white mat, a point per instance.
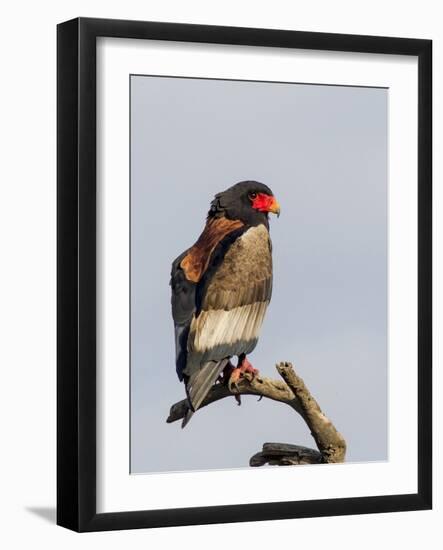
(76, 280)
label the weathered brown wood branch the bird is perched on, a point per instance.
(292, 391)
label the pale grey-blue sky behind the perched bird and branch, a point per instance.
(323, 151)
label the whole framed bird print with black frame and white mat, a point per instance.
(244, 274)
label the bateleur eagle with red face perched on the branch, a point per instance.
(221, 287)
